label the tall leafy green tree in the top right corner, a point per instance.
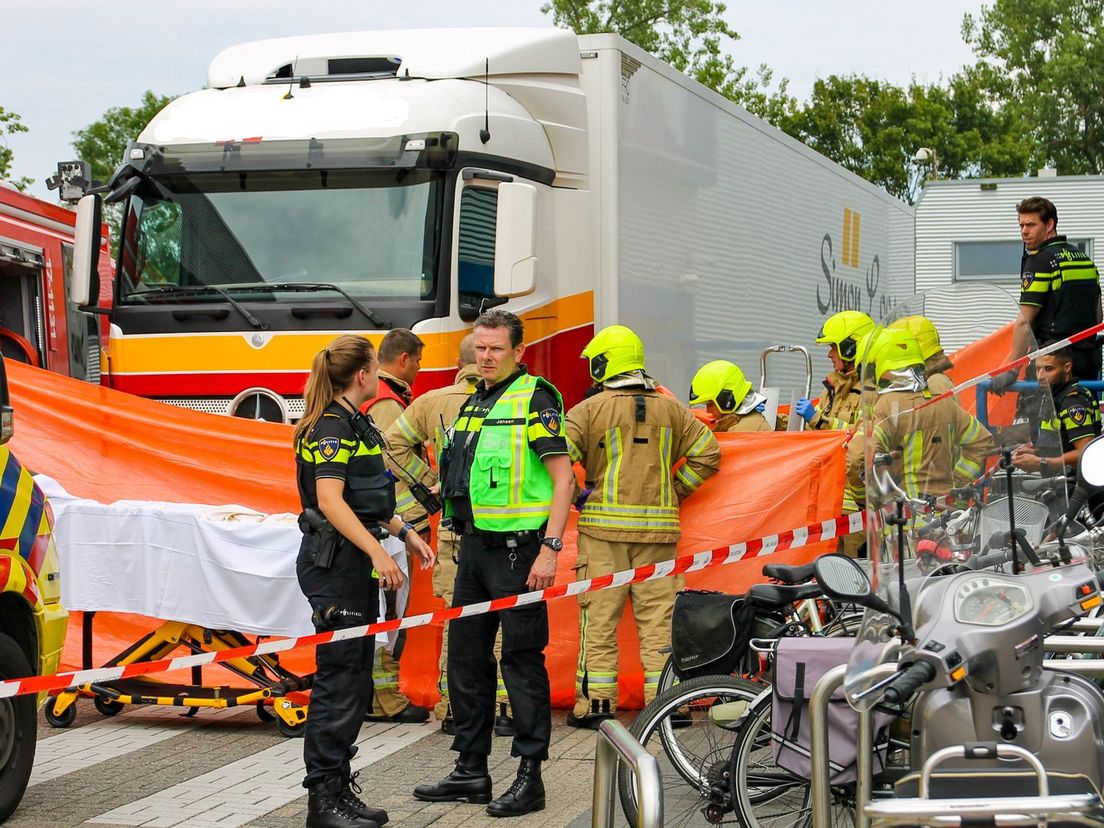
(1046, 60)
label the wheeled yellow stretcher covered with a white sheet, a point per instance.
(226, 575)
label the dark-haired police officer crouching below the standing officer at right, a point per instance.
(1077, 420)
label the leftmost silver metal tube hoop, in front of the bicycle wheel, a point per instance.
(615, 742)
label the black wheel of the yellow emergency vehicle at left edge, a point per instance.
(18, 730)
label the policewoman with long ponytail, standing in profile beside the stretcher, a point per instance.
(347, 500)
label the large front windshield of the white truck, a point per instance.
(376, 235)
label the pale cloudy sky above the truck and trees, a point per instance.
(69, 61)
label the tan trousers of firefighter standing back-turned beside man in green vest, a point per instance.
(601, 612)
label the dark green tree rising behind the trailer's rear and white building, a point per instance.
(874, 129)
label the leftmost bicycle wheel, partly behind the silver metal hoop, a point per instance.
(694, 752)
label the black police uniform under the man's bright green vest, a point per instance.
(496, 566)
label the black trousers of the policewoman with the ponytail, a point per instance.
(345, 596)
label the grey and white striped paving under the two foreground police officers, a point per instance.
(152, 767)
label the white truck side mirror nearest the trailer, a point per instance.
(516, 240)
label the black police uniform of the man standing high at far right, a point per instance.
(1064, 283)
